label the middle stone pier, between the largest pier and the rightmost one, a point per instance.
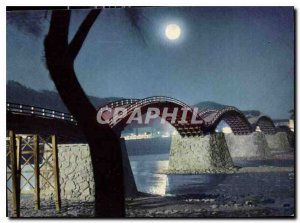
(252, 146)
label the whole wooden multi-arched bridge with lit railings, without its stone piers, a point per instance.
(208, 119)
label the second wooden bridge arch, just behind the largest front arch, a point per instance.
(231, 115)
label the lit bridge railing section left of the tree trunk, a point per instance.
(39, 112)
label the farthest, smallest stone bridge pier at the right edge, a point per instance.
(278, 141)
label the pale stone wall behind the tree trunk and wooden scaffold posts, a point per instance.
(76, 174)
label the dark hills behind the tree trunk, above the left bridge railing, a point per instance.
(18, 93)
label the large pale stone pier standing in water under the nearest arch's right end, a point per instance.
(199, 154)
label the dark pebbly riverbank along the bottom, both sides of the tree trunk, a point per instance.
(185, 206)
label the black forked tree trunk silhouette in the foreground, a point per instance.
(104, 144)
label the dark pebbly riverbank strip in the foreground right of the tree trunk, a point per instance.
(191, 206)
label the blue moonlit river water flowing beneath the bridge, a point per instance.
(148, 169)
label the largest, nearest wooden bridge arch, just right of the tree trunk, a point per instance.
(159, 102)
